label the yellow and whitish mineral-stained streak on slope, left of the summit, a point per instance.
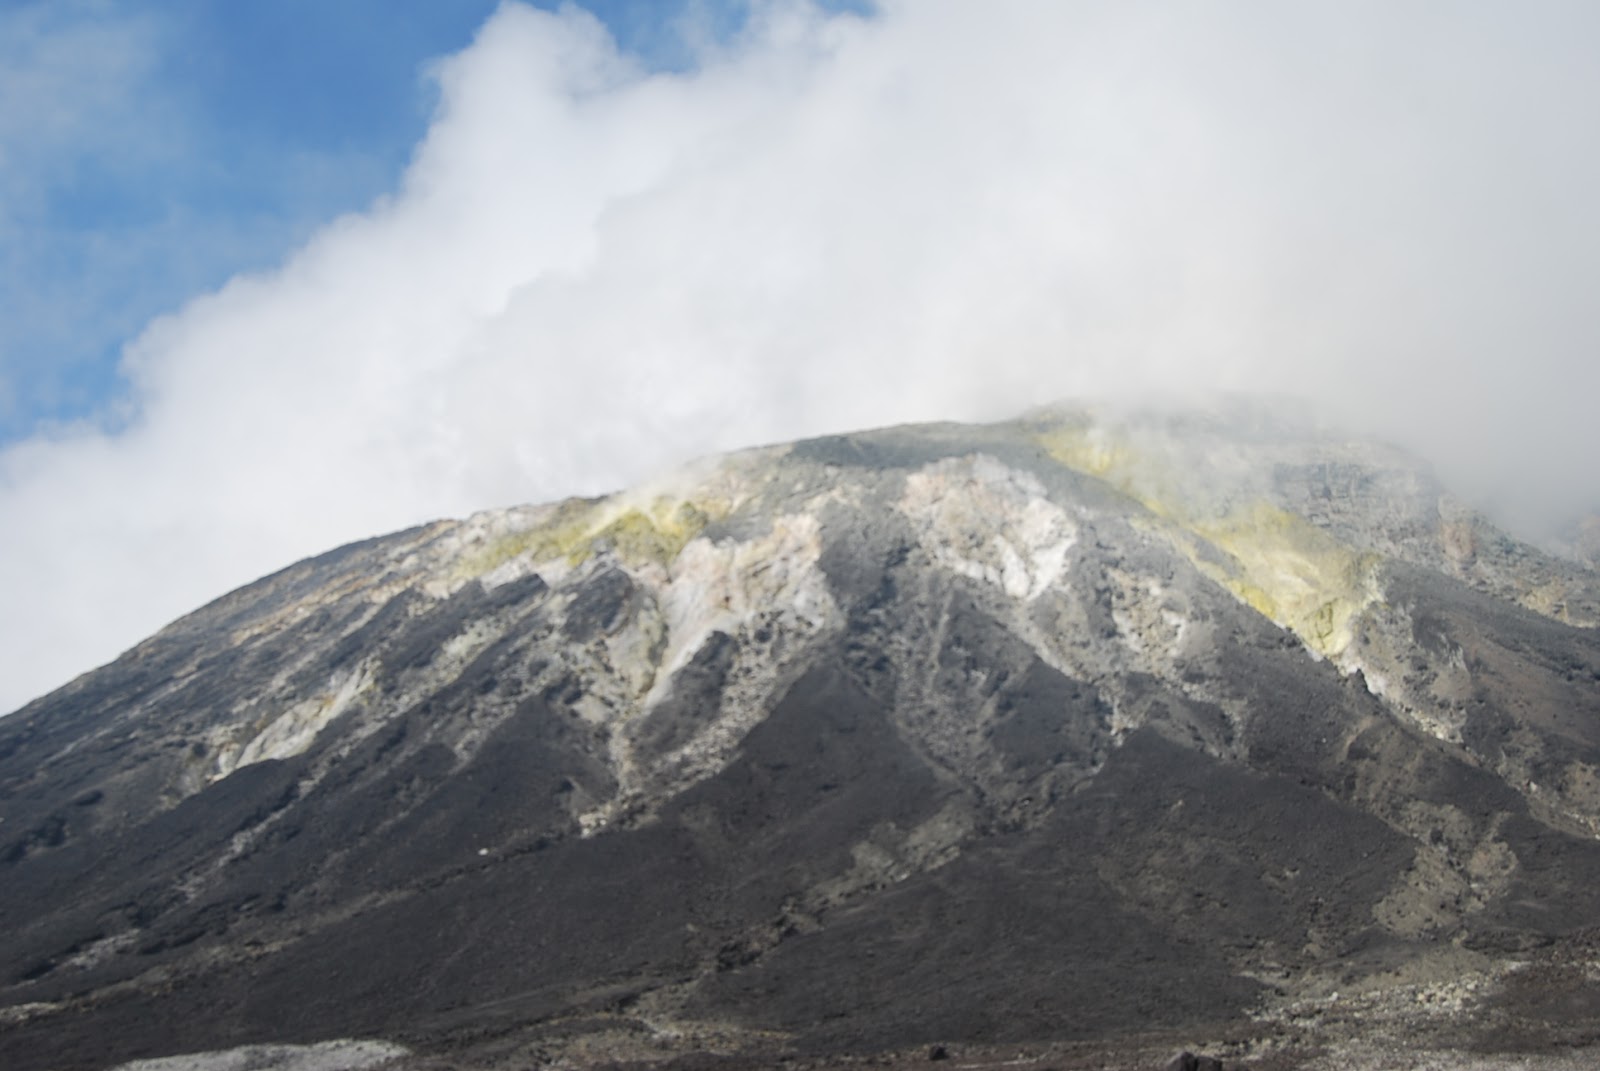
(767, 587)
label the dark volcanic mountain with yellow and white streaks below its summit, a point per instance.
(1082, 737)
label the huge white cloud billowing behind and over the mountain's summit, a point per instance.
(950, 211)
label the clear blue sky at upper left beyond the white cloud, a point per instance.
(151, 150)
